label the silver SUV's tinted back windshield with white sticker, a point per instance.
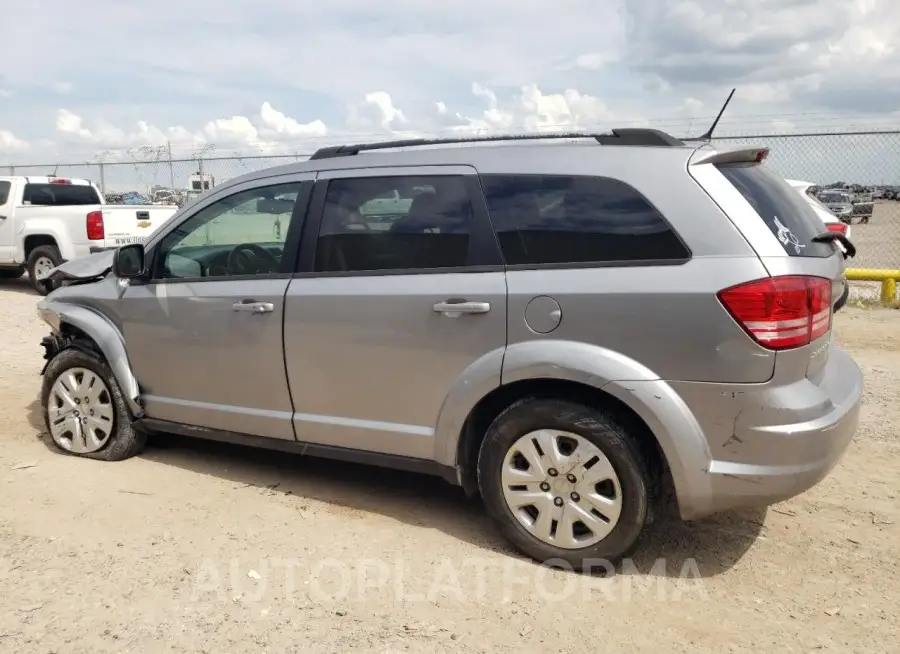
(790, 218)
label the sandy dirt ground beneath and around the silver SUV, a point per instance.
(198, 547)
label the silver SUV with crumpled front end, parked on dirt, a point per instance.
(576, 327)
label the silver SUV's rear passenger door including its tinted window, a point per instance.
(402, 292)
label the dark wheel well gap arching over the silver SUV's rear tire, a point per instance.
(495, 402)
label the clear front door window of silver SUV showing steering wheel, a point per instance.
(242, 234)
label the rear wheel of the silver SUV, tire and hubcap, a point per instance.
(565, 483)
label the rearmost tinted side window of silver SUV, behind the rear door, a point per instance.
(561, 219)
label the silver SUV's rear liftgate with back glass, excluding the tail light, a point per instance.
(781, 227)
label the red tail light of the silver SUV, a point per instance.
(781, 312)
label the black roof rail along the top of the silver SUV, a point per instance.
(629, 136)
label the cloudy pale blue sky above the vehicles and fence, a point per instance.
(121, 81)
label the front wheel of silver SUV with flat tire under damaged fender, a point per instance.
(84, 411)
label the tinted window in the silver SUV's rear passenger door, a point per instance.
(394, 223)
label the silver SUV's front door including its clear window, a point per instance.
(205, 336)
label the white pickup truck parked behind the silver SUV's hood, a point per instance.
(45, 221)
